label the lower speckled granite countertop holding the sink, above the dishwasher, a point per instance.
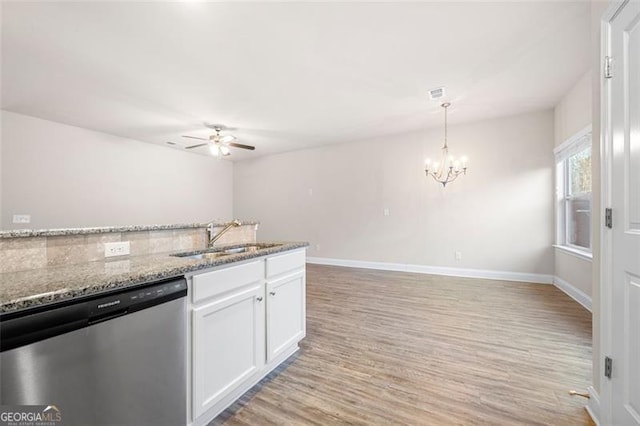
(36, 287)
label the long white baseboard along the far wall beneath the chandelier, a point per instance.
(437, 270)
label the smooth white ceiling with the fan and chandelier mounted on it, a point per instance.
(286, 75)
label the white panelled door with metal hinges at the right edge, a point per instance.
(625, 199)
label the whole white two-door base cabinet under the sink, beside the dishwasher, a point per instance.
(245, 320)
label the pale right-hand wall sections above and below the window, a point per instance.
(572, 114)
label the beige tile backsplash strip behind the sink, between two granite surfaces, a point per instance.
(23, 253)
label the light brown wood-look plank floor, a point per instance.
(400, 348)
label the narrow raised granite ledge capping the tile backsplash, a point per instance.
(18, 233)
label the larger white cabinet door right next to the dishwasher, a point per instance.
(228, 345)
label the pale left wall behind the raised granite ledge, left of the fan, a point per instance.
(65, 176)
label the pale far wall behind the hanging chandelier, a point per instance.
(500, 216)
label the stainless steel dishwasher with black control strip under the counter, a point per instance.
(116, 359)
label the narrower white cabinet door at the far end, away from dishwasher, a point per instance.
(286, 320)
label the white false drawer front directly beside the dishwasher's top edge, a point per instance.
(214, 283)
